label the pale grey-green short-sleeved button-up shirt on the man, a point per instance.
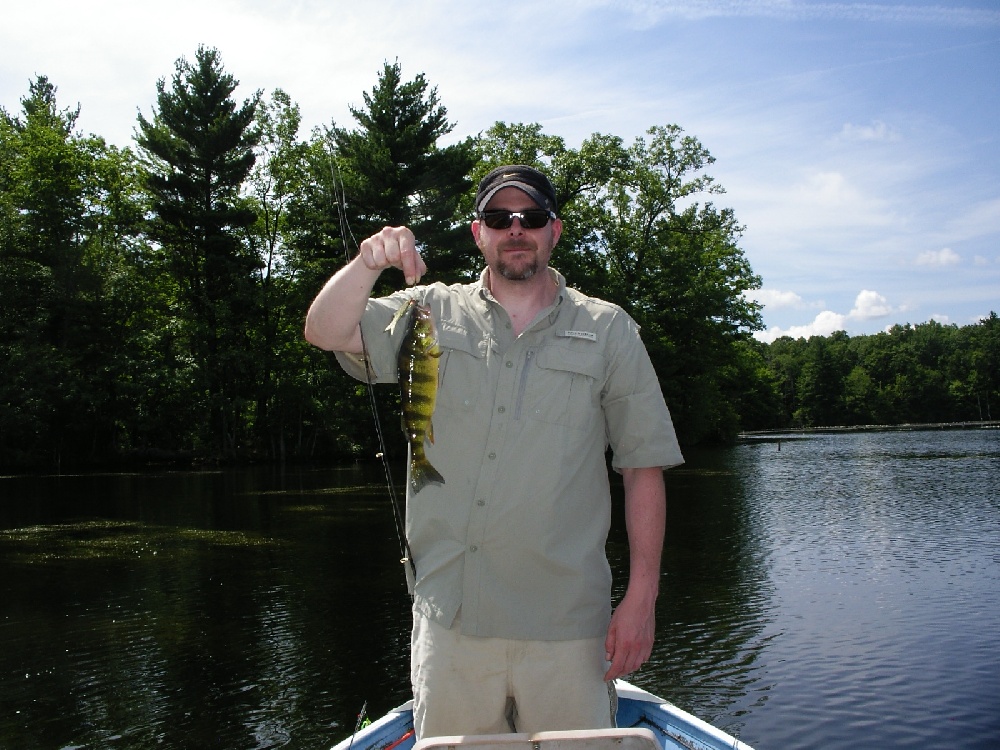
(516, 535)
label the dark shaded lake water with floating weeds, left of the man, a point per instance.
(227, 609)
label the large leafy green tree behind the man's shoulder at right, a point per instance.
(685, 274)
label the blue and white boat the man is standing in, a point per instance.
(645, 722)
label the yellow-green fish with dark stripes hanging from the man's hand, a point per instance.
(418, 379)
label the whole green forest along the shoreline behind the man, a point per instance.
(152, 297)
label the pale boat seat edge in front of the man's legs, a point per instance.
(581, 739)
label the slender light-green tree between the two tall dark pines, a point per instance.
(291, 192)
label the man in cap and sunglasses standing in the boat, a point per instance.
(513, 627)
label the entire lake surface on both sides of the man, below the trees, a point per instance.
(821, 591)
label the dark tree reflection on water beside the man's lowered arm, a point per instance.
(712, 612)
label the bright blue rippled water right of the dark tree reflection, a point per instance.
(886, 597)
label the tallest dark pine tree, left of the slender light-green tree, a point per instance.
(199, 151)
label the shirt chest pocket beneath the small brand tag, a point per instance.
(562, 386)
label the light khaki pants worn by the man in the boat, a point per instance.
(469, 685)
